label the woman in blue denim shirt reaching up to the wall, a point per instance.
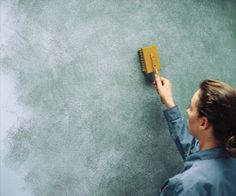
(206, 142)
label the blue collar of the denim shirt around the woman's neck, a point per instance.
(213, 153)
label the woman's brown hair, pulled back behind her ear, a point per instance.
(217, 102)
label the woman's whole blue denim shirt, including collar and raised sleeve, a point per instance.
(207, 172)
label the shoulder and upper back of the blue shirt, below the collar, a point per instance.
(203, 177)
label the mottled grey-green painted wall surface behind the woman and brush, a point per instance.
(96, 124)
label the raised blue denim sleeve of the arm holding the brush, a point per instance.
(178, 128)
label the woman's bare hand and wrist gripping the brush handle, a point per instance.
(164, 90)
